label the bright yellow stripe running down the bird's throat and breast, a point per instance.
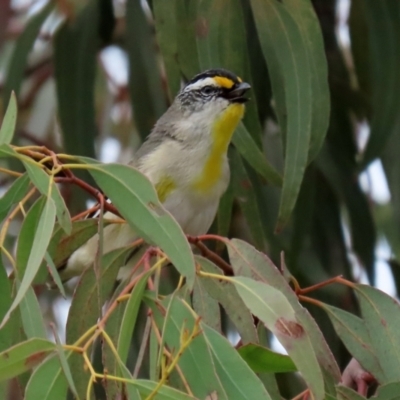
(222, 132)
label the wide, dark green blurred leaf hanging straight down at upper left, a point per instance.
(77, 40)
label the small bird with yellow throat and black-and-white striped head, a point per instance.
(185, 158)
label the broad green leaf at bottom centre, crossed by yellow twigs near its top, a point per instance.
(226, 375)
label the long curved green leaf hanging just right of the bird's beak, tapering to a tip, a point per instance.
(282, 44)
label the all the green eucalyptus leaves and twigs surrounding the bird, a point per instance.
(297, 160)
